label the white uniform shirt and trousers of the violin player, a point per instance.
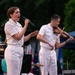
(47, 57)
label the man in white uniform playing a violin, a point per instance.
(48, 41)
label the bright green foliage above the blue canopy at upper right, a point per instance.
(69, 21)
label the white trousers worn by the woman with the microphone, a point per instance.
(13, 57)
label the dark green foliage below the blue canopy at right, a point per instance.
(68, 55)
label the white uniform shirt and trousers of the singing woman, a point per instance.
(14, 50)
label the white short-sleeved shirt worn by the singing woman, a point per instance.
(12, 28)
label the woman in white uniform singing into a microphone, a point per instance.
(15, 39)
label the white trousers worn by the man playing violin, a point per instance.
(48, 59)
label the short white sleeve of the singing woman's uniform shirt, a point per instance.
(10, 29)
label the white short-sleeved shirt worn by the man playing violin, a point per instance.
(47, 32)
